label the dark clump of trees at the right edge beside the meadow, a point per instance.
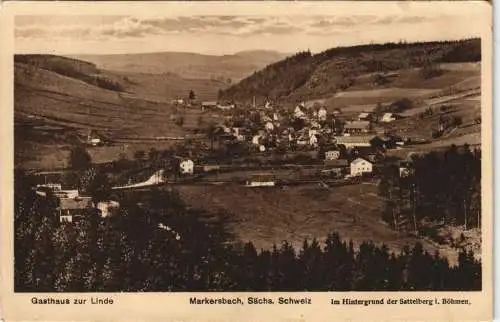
(443, 187)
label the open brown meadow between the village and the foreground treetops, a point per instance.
(267, 216)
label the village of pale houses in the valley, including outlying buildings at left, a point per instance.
(265, 146)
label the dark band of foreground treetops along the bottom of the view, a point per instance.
(156, 243)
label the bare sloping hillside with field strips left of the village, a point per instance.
(56, 100)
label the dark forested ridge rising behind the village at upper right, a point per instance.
(305, 75)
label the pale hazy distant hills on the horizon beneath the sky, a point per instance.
(227, 68)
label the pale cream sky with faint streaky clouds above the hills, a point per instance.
(228, 32)
